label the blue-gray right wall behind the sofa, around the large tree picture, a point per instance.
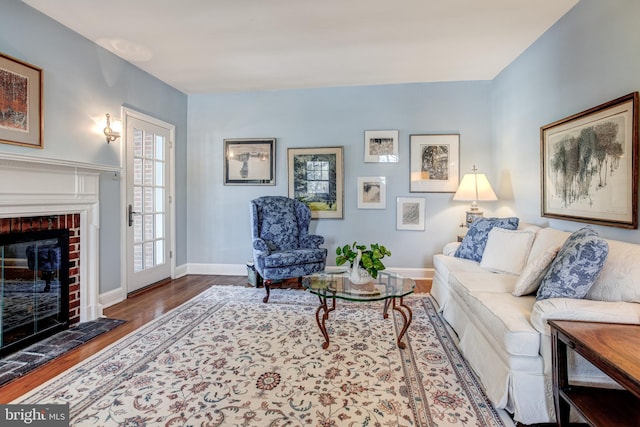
(591, 56)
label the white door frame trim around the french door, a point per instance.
(127, 113)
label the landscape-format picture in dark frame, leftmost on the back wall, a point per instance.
(250, 161)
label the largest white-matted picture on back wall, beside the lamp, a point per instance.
(434, 163)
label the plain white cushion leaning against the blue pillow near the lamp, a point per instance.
(506, 251)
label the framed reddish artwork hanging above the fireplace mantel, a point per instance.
(21, 116)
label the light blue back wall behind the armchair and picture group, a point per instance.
(218, 215)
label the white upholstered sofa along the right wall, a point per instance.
(505, 338)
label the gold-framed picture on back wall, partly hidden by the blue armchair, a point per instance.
(316, 179)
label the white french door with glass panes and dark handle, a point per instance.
(148, 201)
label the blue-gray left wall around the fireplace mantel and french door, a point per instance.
(82, 82)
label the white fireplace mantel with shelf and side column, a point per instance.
(34, 186)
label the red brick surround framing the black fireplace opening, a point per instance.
(56, 222)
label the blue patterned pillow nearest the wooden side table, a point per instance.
(576, 267)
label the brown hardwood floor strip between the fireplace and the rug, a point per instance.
(137, 310)
